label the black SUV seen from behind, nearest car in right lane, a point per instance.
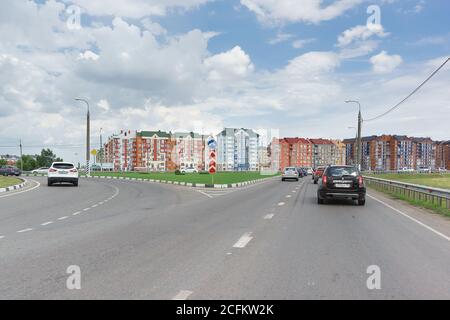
(341, 182)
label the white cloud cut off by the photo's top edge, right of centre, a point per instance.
(288, 11)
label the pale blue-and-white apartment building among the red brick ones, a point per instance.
(237, 150)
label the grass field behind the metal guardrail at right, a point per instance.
(432, 180)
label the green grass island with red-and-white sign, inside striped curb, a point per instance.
(219, 178)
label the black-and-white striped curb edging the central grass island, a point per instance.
(186, 184)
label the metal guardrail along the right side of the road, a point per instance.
(440, 197)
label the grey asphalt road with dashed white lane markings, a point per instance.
(135, 240)
